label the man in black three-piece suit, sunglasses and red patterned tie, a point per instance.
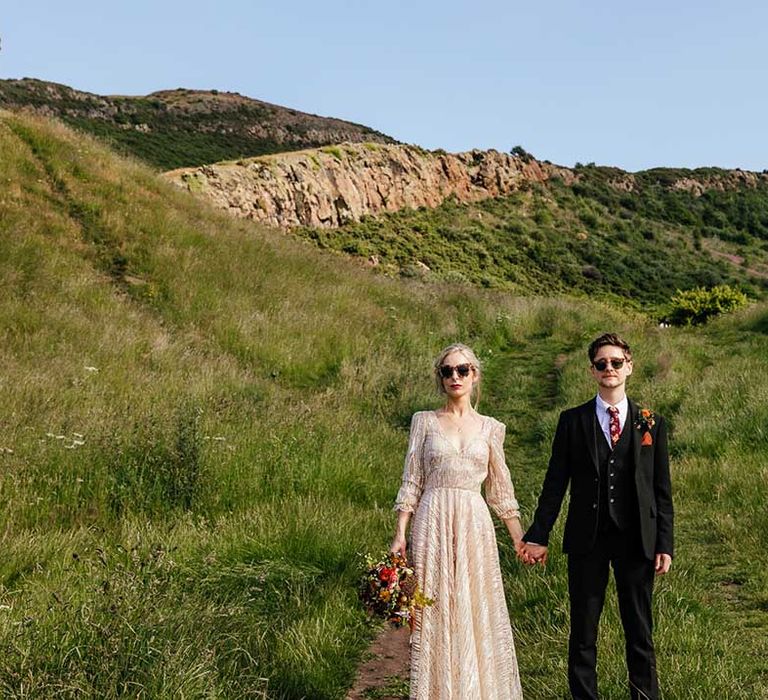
(614, 454)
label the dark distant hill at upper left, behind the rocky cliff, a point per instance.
(177, 128)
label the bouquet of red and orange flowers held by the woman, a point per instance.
(389, 590)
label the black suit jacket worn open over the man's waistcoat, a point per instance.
(574, 461)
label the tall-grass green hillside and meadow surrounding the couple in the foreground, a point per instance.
(204, 422)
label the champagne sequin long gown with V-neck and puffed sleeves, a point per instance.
(462, 646)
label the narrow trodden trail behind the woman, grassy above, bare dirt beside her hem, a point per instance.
(525, 383)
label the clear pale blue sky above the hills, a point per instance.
(636, 85)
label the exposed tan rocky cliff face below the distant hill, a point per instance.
(334, 185)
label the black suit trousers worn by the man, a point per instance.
(587, 580)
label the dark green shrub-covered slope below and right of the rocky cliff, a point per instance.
(589, 238)
